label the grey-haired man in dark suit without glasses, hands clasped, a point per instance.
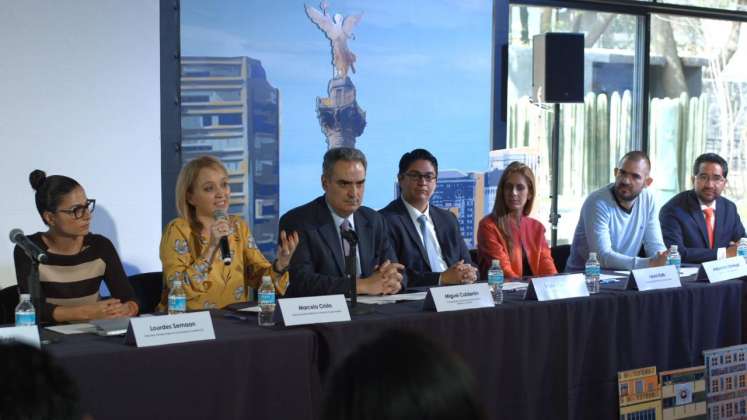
(318, 265)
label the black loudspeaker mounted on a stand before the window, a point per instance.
(558, 67)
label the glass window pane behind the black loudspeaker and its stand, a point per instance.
(594, 134)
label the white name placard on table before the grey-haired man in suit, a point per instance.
(314, 310)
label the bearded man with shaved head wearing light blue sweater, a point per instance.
(616, 219)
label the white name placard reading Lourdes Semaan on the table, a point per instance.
(170, 329)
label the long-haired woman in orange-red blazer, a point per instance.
(508, 235)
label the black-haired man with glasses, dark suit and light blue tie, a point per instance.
(426, 239)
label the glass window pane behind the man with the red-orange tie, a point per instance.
(699, 101)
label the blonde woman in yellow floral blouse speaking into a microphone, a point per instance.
(190, 245)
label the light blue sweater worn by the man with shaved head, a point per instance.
(616, 236)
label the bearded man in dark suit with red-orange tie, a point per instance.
(703, 225)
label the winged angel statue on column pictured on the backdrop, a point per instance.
(340, 117)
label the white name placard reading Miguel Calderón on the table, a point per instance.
(456, 298)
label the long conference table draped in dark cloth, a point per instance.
(531, 360)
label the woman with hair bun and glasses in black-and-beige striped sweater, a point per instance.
(78, 260)
